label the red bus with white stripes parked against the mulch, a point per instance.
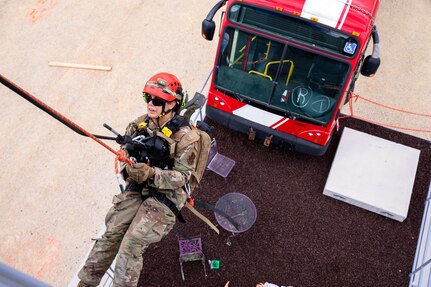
(284, 69)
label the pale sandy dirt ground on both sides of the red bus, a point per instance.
(56, 186)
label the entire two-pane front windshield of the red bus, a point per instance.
(279, 76)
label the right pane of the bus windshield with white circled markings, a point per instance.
(309, 84)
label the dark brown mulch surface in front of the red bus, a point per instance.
(301, 237)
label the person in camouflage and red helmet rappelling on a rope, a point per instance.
(165, 152)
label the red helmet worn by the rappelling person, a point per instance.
(165, 86)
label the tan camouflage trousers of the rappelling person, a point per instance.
(131, 225)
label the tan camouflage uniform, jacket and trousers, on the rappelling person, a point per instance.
(133, 223)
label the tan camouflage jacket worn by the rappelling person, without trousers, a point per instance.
(171, 182)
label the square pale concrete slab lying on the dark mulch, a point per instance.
(373, 173)
